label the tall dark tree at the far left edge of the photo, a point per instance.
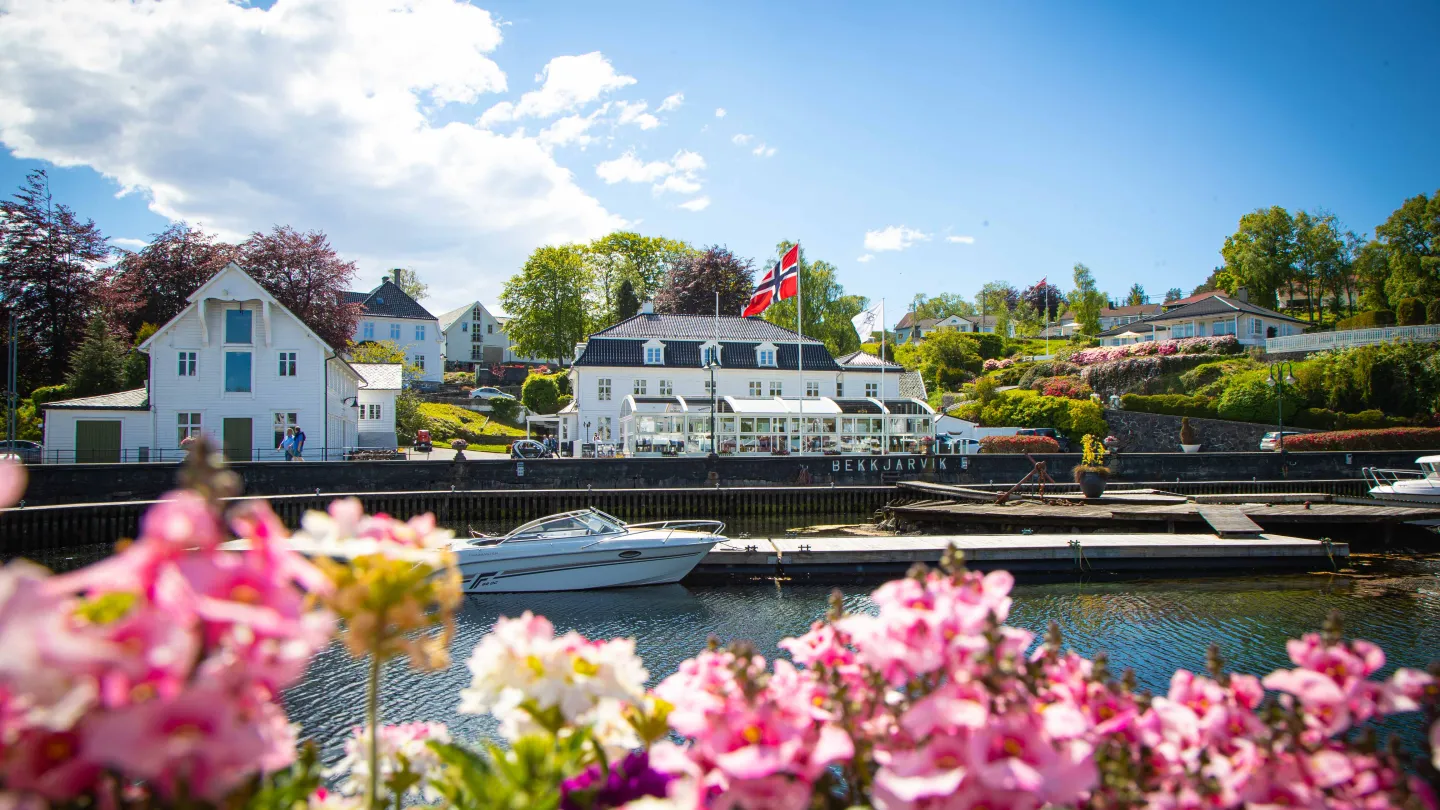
(48, 277)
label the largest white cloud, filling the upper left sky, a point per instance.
(312, 113)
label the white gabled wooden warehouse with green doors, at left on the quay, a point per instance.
(234, 365)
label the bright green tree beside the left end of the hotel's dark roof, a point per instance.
(548, 302)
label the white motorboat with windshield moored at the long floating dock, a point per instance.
(582, 550)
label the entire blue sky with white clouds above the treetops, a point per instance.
(921, 148)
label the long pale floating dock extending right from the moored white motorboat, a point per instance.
(1148, 554)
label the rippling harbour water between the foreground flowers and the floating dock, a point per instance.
(1151, 626)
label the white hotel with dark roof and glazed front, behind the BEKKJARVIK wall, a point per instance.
(644, 388)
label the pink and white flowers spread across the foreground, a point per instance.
(150, 681)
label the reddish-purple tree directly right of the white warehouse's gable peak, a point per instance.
(307, 277)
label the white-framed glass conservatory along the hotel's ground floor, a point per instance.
(675, 426)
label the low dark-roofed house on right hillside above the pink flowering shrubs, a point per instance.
(1210, 315)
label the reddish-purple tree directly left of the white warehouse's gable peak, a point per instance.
(155, 283)
